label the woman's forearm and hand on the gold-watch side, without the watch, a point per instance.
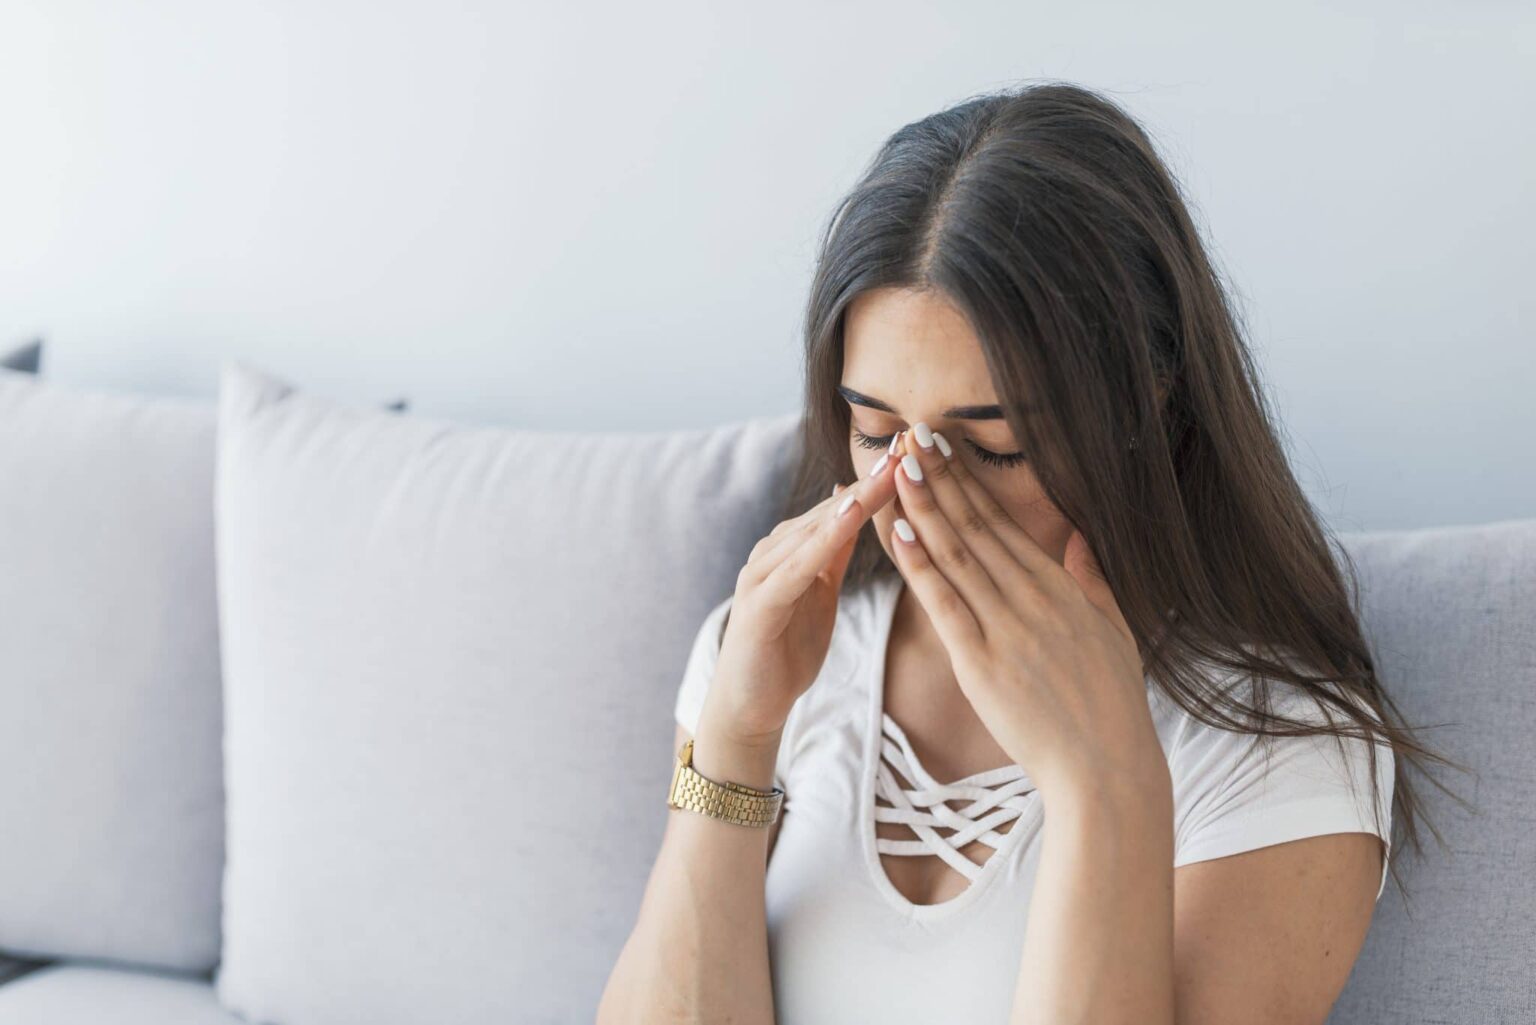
(700, 950)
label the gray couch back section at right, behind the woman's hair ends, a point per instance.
(1452, 617)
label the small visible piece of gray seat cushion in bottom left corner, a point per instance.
(94, 995)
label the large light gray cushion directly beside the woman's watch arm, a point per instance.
(449, 655)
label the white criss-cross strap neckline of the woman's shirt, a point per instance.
(895, 772)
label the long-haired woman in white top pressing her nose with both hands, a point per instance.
(1085, 729)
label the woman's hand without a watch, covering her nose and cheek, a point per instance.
(1041, 649)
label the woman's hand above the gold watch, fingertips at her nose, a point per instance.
(786, 605)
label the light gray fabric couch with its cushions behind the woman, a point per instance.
(317, 715)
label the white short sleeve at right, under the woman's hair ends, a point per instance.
(1230, 801)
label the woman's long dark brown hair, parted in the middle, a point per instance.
(1047, 217)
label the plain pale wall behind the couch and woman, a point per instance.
(603, 217)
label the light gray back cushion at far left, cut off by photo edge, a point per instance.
(110, 705)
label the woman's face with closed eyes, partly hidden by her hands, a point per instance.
(912, 357)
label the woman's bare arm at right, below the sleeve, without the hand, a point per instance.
(1116, 935)
